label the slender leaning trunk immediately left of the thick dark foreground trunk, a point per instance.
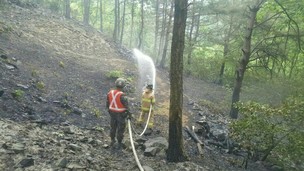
(168, 30)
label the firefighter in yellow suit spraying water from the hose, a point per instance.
(147, 101)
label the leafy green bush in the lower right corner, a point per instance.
(273, 133)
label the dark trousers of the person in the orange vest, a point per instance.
(118, 126)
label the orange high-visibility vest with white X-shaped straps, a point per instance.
(115, 103)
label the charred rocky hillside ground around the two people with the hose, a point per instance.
(53, 87)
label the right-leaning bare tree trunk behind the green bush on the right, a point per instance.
(246, 50)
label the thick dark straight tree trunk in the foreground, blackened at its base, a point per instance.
(175, 151)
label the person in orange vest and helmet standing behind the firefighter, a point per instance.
(117, 104)
